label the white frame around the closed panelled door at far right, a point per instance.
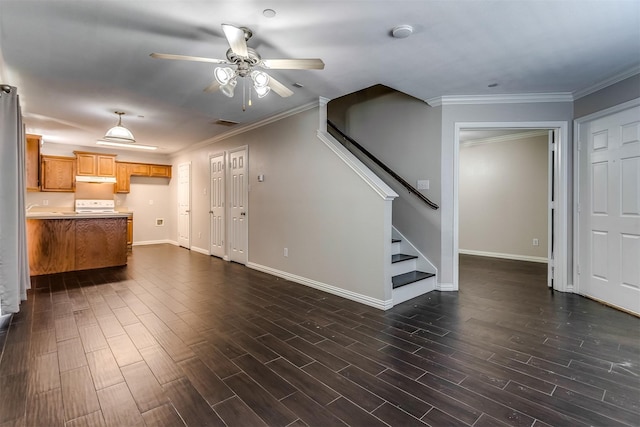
(576, 179)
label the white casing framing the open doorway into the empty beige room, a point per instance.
(561, 190)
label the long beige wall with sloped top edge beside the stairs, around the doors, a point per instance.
(310, 202)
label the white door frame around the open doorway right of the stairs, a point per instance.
(558, 193)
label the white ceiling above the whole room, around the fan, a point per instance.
(76, 62)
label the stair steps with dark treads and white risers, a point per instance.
(411, 273)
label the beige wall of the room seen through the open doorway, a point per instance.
(503, 188)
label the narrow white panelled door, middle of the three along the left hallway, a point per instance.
(216, 211)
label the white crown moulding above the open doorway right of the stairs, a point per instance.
(520, 98)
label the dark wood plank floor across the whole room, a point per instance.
(181, 338)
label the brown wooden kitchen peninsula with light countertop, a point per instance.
(69, 241)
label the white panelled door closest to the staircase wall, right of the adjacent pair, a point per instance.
(238, 206)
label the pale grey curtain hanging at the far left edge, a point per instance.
(14, 264)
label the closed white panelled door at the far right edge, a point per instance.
(609, 209)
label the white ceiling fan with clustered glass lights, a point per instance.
(247, 61)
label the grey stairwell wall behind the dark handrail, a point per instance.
(404, 133)
